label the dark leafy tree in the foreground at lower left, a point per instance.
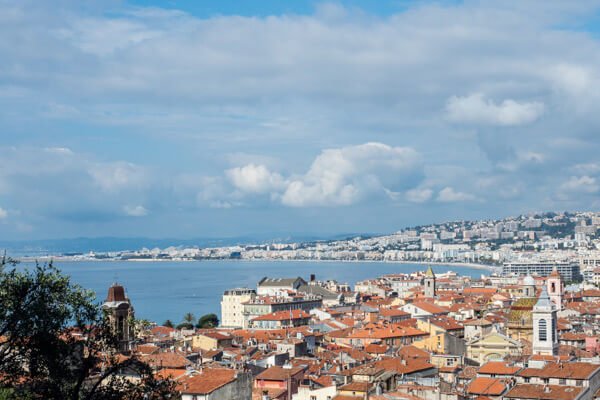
(58, 344)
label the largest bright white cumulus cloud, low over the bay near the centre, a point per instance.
(349, 174)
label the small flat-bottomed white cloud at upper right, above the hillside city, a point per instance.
(476, 109)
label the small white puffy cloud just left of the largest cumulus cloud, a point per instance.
(254, 178)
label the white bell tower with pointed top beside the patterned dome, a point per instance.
(545, 333)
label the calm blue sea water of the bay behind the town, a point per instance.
(168, 290)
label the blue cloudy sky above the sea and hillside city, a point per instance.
(226, 118)
